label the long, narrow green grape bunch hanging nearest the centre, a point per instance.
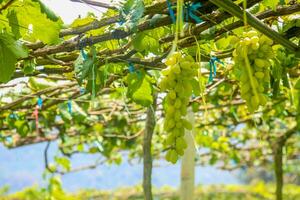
(176, 82)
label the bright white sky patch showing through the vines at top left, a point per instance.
(69, 11)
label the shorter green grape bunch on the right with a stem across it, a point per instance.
(252, 68)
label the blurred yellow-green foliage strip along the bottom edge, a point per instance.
(257, 191)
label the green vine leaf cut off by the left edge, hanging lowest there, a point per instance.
(10, 51)
